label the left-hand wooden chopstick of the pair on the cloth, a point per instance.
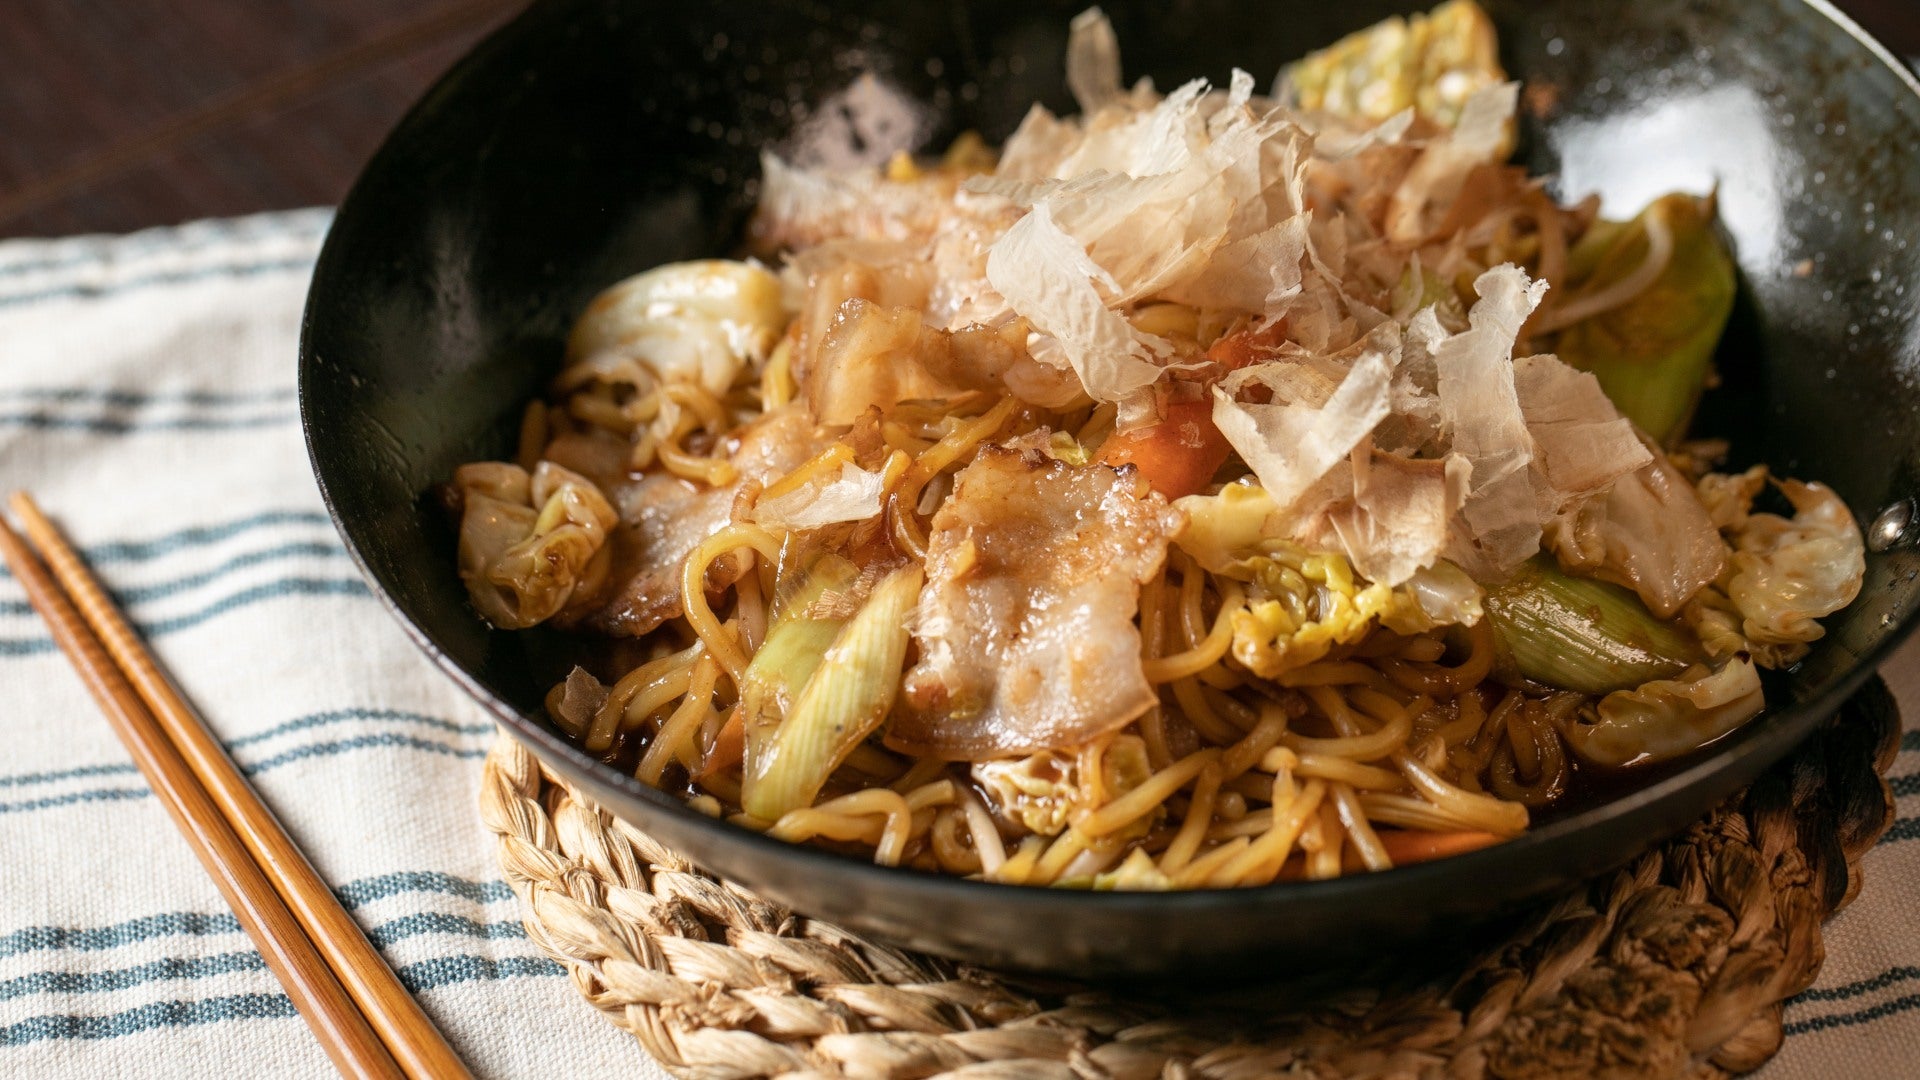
(333, 1016)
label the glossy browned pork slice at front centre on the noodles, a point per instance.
(1026, 629)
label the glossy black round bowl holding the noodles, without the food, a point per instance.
(592, 139)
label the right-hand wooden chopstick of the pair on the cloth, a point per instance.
(404, 1029)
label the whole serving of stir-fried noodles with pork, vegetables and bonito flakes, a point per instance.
(1316, 570)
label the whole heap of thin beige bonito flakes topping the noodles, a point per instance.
(1385, 420)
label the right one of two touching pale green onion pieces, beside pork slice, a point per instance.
(844, 700)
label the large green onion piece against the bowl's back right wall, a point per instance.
(1654, 355)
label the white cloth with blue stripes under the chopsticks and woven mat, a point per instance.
(147, 397)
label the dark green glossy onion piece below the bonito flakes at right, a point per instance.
(1583, 635)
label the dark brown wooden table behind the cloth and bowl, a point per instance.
(120, 114)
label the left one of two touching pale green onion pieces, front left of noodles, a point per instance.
(796, 647)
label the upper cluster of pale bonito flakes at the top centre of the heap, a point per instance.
(1195, 197)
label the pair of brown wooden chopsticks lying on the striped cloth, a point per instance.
(366, 1019)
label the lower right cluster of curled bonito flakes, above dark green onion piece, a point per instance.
(1414, 447)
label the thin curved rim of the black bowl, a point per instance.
(1785, 727)
